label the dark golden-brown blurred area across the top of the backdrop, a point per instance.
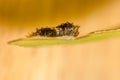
(28, 12)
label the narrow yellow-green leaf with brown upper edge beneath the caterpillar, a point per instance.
(93, 36)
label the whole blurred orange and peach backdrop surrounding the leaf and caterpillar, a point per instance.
(89, 61)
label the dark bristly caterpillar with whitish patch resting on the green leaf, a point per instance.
(65, 29)
